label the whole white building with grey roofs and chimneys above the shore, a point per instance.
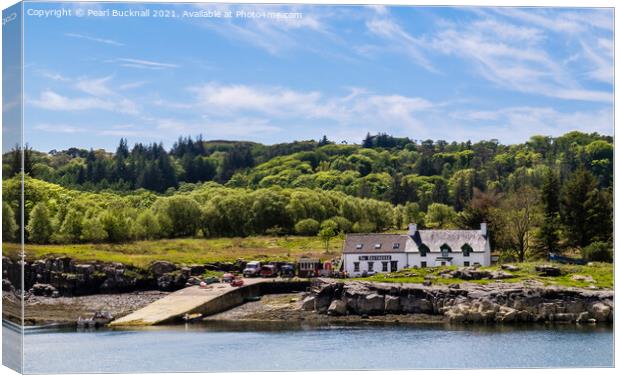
(373, 253)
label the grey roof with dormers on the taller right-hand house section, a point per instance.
(434, 239)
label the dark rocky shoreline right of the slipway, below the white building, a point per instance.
(462, 303)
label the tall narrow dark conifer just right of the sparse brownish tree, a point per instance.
(548, 233)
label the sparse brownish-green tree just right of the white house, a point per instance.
(516, 217)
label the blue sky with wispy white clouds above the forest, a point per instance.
(439, 73)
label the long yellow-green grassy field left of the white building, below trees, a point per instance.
(189, 250)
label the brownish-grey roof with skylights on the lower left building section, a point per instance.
(369, 241)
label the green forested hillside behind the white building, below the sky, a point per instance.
(548, 194)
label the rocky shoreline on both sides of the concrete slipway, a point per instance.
(316, 307)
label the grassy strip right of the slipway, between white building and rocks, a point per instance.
(601, 273)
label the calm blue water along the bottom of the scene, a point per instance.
(217, 347)
